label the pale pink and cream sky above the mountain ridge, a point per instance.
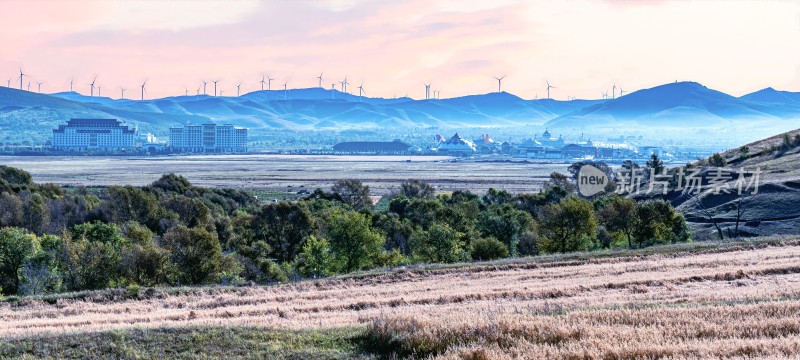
(393, 47)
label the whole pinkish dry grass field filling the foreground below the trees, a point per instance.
(683, 301)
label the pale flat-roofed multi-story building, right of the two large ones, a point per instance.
(208, 138)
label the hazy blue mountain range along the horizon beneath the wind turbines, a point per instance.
(670, 105)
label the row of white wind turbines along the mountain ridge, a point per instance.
(267, 80)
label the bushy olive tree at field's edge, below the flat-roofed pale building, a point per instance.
(196, 253)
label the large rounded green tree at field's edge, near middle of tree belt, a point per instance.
(354, 244)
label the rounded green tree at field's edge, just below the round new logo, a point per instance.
(568, 225)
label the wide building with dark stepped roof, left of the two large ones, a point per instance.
(106, 135)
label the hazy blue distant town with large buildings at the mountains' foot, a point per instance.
(113, 137)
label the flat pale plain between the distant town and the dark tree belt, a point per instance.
(288, 173)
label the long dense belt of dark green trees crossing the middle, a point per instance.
(173, 233)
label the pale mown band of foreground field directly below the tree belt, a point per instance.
(737, 276)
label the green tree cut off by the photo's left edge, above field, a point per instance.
(16, 246)
